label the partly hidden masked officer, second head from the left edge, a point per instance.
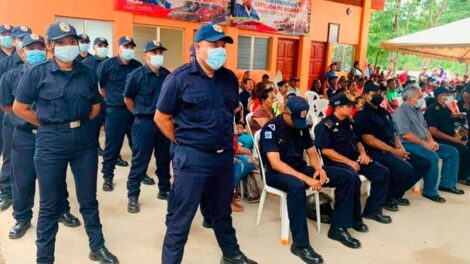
(9, 63)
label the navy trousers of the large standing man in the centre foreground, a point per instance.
(197, 172)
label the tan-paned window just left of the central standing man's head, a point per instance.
(172, 39)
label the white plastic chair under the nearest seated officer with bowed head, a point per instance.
(283, 197)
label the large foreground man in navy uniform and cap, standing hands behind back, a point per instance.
(195, 111)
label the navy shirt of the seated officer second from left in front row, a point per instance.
(331, 133)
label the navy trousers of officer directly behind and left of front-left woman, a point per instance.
(24, 175)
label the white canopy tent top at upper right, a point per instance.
(446, 42)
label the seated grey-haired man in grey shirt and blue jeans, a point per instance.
(417, 139)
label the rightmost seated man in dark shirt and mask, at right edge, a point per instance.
(441, 124)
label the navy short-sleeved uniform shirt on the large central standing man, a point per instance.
(202, 107)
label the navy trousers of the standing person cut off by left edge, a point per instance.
(5, 173)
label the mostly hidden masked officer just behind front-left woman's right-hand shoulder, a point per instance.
(100, 48)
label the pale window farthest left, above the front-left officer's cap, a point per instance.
(93, 28)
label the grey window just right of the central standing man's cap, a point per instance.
(252, 53)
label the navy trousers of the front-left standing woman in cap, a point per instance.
(56, 148)
